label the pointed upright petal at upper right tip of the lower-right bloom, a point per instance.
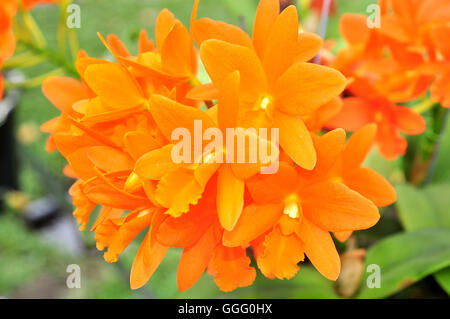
(358, 147)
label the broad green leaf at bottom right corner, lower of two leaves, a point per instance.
(407, 258)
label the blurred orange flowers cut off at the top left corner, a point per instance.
(8, 9)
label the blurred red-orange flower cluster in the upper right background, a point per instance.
(394, 62)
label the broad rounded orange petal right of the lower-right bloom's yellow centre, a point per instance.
(335, 207)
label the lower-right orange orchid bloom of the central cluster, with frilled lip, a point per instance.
(297, 209)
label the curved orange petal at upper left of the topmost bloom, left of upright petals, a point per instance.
(205, 29)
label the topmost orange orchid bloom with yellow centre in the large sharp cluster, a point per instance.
(278, 86)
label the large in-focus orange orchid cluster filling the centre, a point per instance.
(116, 132)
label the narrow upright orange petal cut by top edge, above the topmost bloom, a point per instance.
(267, 13)
